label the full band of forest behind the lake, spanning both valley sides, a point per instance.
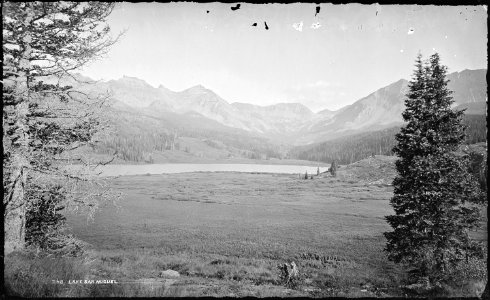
(140, 141)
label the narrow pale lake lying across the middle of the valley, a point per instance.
(121, 170)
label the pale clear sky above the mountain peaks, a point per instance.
(324, 61)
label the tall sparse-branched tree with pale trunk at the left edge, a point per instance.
(45, 119)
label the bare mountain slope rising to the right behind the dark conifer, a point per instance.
(383, 108)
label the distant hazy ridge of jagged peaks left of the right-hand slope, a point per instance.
(277, 118)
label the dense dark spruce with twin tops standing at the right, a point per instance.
(435, 198)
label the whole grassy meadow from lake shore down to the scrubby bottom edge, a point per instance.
(226, 233)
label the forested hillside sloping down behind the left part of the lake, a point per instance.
(142, 138)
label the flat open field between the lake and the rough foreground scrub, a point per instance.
(249, 223)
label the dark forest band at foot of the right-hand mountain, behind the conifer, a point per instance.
(352, 148)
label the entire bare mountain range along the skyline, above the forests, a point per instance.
(290, 123)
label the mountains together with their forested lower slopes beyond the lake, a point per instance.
(157, 125)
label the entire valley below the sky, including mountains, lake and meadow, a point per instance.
(226, 233)
